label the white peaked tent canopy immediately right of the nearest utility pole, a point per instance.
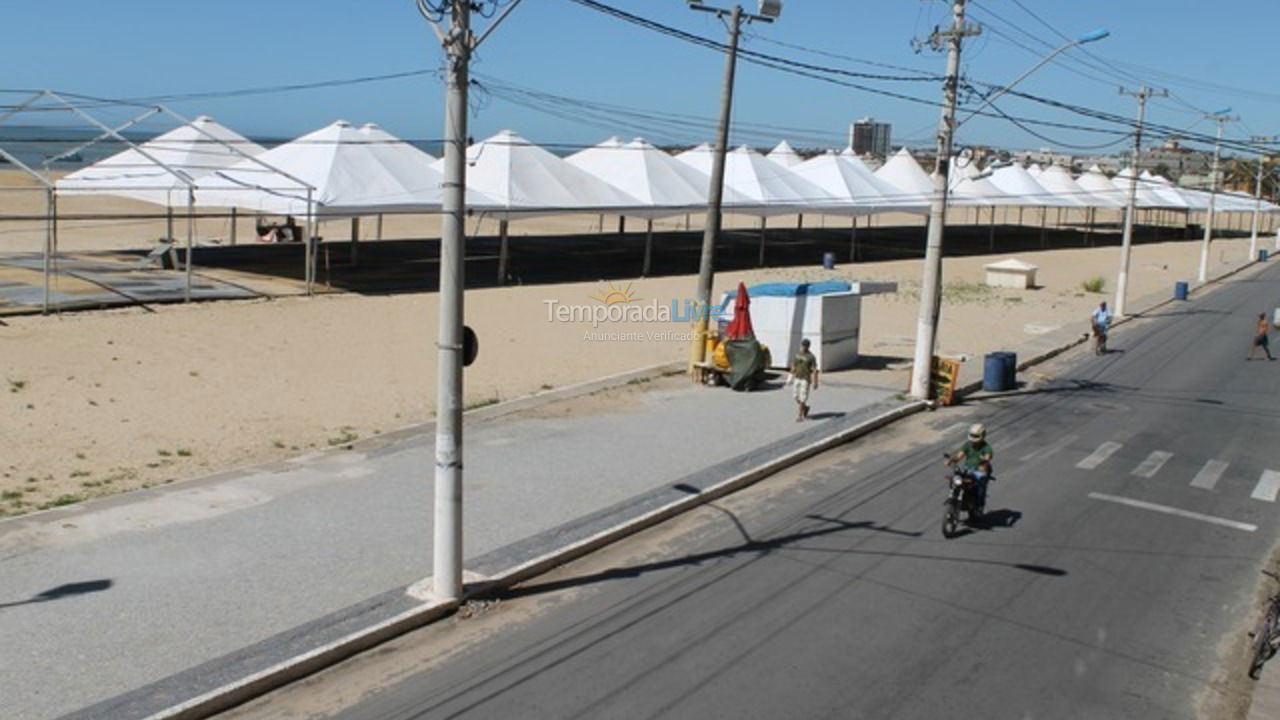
(524, 180)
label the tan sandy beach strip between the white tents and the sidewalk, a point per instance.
(109, 402)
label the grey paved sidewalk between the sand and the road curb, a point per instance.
(127, 607)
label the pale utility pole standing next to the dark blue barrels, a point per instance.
(931, 295)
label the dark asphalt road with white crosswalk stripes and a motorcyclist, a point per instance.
(1136, 504)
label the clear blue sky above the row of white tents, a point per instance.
(615, 79)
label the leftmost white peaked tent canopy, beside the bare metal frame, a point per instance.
(164, 168)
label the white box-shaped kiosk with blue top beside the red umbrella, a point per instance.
(828, 313)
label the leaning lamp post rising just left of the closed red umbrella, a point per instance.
(767, 13)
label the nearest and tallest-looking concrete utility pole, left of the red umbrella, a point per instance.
(459, 45)
